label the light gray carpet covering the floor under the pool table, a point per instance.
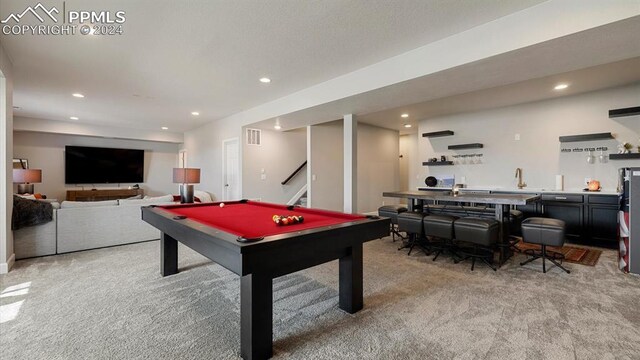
(113, 304)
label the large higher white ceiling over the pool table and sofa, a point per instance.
(208, 55)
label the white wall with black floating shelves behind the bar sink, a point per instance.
(538, 152)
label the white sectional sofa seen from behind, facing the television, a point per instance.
(88, 225)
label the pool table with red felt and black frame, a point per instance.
(242, 237)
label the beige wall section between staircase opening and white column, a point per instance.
(327, 152)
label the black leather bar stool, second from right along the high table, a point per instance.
(480, 235)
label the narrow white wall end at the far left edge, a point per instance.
(6, 153)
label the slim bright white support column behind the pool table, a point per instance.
(350, 137)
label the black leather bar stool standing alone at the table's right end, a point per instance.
(544, 232)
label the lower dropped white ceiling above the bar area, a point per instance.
(598, 58)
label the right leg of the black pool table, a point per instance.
(351, 280)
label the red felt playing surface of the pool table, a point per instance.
(253, 219)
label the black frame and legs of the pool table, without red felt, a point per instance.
(258, 263)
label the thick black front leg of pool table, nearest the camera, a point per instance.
(256, 316)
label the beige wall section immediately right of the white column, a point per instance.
(378, 166)
